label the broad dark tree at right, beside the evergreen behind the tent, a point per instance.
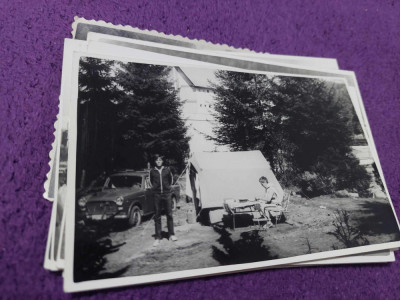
(313, 120)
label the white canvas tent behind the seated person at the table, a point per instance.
(223, 175)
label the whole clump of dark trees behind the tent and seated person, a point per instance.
(303, 126)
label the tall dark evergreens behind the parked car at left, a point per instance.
(127, 112)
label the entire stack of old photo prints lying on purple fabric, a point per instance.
(176, 158)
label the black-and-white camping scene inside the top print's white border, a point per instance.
(183, 168)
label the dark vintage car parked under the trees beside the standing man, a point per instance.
(124, 195)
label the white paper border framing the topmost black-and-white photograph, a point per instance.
(71, 286)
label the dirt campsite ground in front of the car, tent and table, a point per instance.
(308, 227)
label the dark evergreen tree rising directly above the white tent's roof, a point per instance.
(241, 109)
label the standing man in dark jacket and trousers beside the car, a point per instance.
(161, 181)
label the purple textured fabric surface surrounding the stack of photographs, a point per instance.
(364, 37)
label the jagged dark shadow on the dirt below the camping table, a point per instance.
(249, 248)
